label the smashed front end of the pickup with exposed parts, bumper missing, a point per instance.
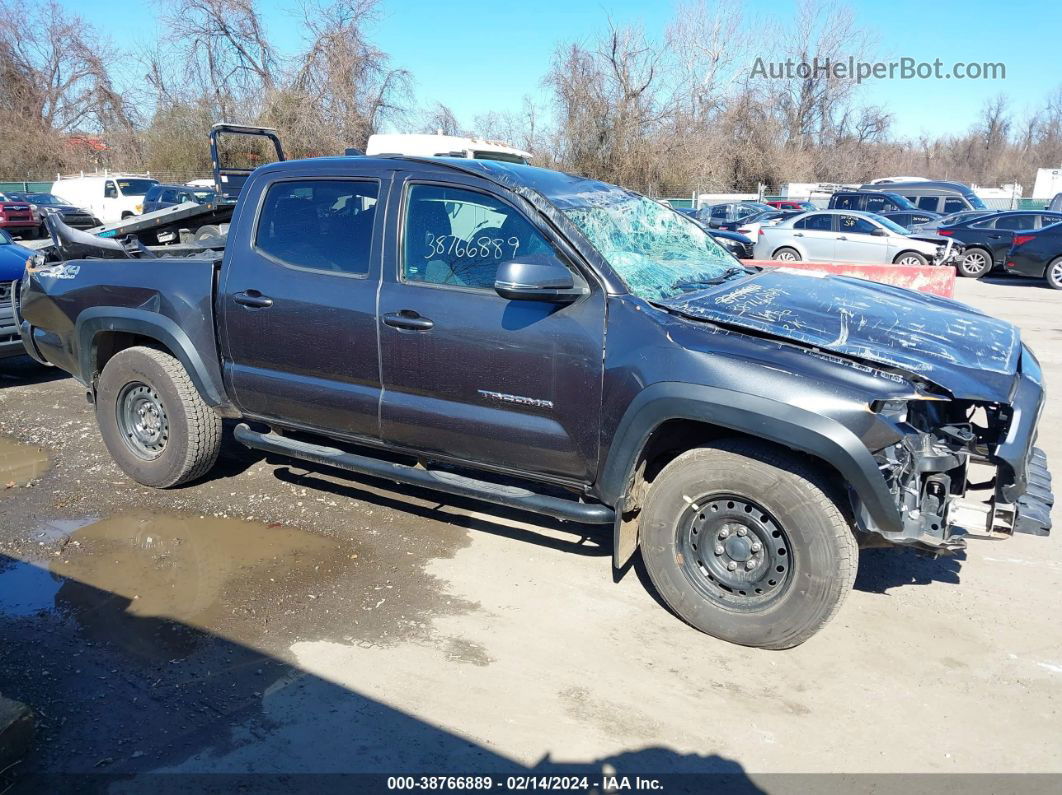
(967, 468)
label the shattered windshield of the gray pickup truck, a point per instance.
(658, 252)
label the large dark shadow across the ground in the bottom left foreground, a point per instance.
(121, 695)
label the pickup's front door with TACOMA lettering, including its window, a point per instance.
(467, 374)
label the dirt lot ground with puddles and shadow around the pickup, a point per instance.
(278, 620)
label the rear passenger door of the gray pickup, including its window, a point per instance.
(300, 307)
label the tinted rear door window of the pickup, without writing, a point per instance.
(321, 224)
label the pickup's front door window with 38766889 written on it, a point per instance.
(460, 237)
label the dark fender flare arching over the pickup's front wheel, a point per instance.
(783, 424)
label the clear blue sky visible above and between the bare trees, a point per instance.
(482, 57)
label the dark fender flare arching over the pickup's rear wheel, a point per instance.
(98, 320)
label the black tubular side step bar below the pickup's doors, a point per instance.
(439, 481)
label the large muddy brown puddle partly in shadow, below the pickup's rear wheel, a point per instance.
(147, 582)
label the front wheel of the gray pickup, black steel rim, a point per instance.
(783, 506)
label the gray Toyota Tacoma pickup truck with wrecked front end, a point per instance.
(559, 345)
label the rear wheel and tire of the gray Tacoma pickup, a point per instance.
(155, 423)
